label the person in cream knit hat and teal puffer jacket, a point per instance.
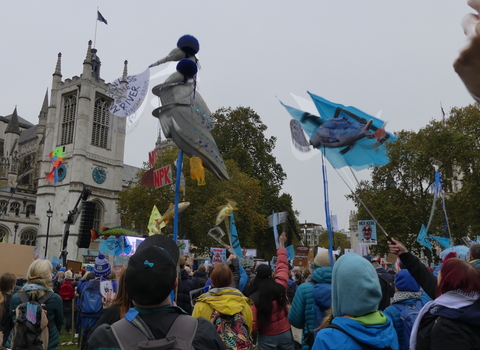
(302, 314)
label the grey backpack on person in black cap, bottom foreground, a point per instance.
(134, 334)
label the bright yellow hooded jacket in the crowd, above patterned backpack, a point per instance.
(227, 301)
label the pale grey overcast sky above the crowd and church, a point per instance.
(377, 55)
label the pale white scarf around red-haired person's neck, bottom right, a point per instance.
(453, 300)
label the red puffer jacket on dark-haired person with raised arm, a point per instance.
(279, 321)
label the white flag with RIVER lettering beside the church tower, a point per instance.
(128, 93)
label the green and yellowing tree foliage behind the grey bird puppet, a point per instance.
(255, 184)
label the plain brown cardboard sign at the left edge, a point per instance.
(15, 258)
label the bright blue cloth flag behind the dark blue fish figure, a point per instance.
(361, 154)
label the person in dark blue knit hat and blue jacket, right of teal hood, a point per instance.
(407, 295)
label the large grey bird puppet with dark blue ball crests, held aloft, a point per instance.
(184, 115)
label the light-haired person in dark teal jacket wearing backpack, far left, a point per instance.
(39, 281)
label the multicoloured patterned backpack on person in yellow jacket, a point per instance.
(233, 330)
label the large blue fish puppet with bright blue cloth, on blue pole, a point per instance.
(346, 135)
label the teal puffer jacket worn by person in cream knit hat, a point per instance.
(302, 315)
